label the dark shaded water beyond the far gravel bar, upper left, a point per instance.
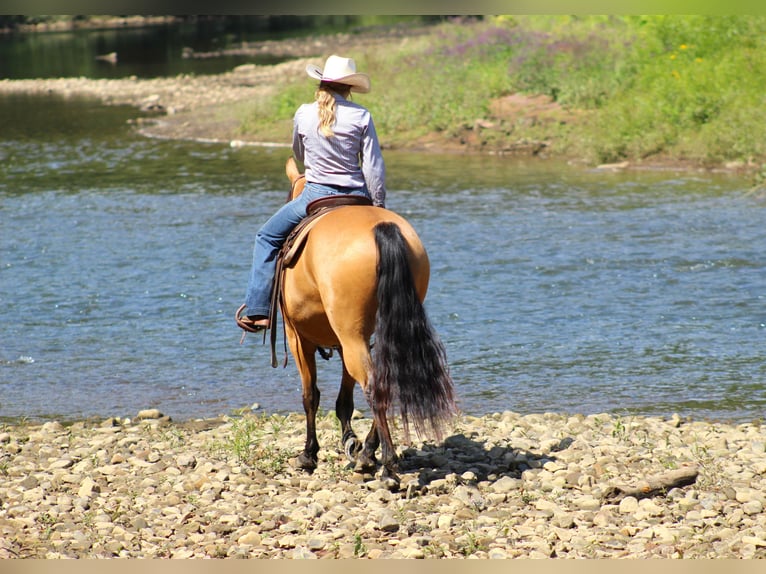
(194, 45)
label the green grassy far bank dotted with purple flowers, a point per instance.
(598, 88)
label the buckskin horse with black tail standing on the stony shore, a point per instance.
(361, 278)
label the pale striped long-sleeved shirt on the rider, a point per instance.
(351, 158)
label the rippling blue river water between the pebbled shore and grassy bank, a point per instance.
(122, 260)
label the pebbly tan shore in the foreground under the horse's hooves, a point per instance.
(499, 486)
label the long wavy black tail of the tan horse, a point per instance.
(409, 361)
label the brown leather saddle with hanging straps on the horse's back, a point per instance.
(291, 250)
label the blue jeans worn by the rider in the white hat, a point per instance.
(272, 236)
